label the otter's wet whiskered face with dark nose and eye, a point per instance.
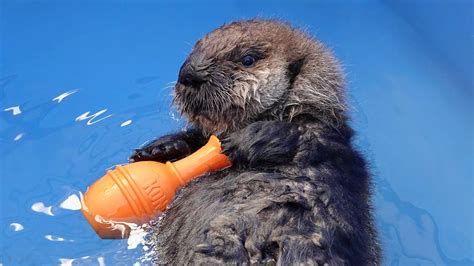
(233, 75)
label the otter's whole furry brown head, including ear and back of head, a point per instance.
(258, 70)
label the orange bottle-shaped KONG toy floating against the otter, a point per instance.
(137, 192)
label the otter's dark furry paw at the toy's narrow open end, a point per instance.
(263, 143)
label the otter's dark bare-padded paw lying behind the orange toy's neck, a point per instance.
(169, 147)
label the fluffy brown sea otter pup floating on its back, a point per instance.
(298, 192)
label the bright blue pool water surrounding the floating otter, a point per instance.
(409, 72)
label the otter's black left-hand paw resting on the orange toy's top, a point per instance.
(167, 148)
